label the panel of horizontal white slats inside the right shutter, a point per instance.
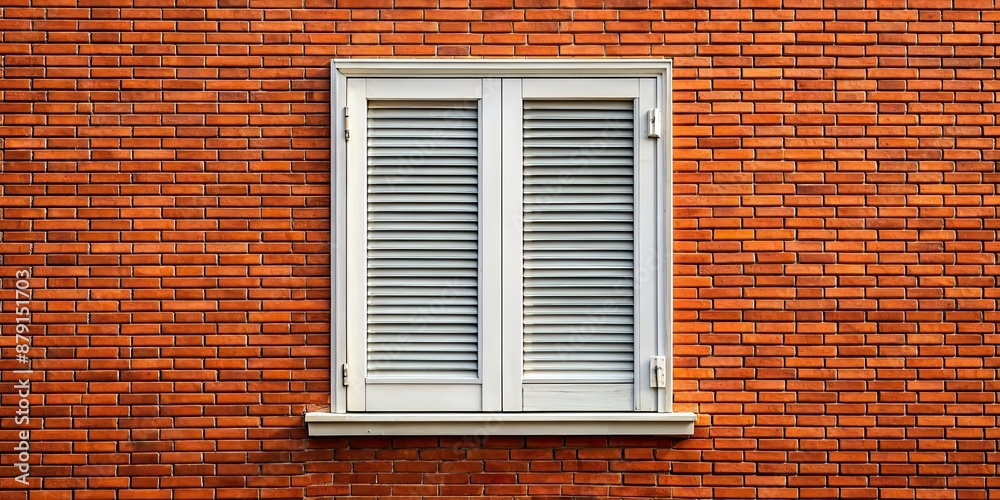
(578, 250)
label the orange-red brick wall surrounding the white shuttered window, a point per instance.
(165, 176)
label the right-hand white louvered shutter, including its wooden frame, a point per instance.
(578, 255)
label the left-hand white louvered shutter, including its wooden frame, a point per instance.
(423, 289)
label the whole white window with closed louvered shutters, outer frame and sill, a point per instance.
(501, 246)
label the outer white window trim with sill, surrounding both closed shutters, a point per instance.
(338, 421)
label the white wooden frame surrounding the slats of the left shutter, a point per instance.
(405, 394)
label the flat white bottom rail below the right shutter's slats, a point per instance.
(577, 397)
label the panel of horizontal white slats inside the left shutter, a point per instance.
(423, 239)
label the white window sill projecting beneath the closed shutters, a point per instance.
(499, 424)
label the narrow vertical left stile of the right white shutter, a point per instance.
(512, 244)
